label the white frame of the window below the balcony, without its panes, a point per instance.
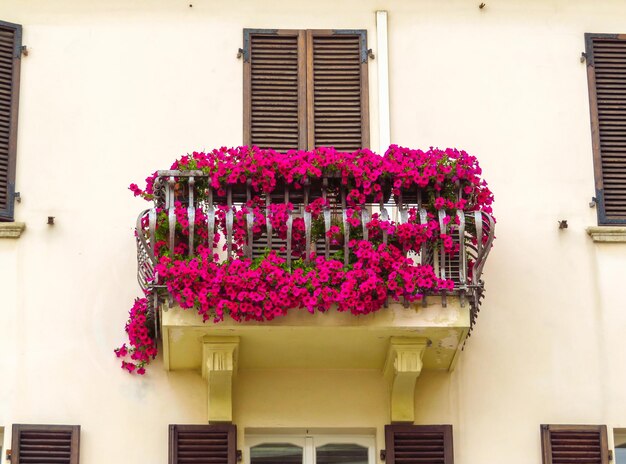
(310, 441)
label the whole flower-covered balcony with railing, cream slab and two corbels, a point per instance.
(414, 254)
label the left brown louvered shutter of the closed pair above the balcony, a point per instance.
(274, 89)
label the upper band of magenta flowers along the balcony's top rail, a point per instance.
(439, 173)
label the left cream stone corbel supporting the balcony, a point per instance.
(219, 365)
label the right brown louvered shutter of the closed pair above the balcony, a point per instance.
(337, 89)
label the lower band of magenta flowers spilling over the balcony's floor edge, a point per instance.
(245, 290)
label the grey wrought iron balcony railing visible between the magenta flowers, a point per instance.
(474, 232)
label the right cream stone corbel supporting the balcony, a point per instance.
(403, 366)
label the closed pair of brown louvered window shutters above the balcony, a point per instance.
(305, 89)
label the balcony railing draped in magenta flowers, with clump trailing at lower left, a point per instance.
(250, 234)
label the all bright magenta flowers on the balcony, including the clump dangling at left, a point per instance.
(379, 269)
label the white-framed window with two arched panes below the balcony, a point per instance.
(310, 449)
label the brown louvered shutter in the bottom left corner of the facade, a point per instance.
(45, 444)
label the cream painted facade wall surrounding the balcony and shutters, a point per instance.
(112, 90)
